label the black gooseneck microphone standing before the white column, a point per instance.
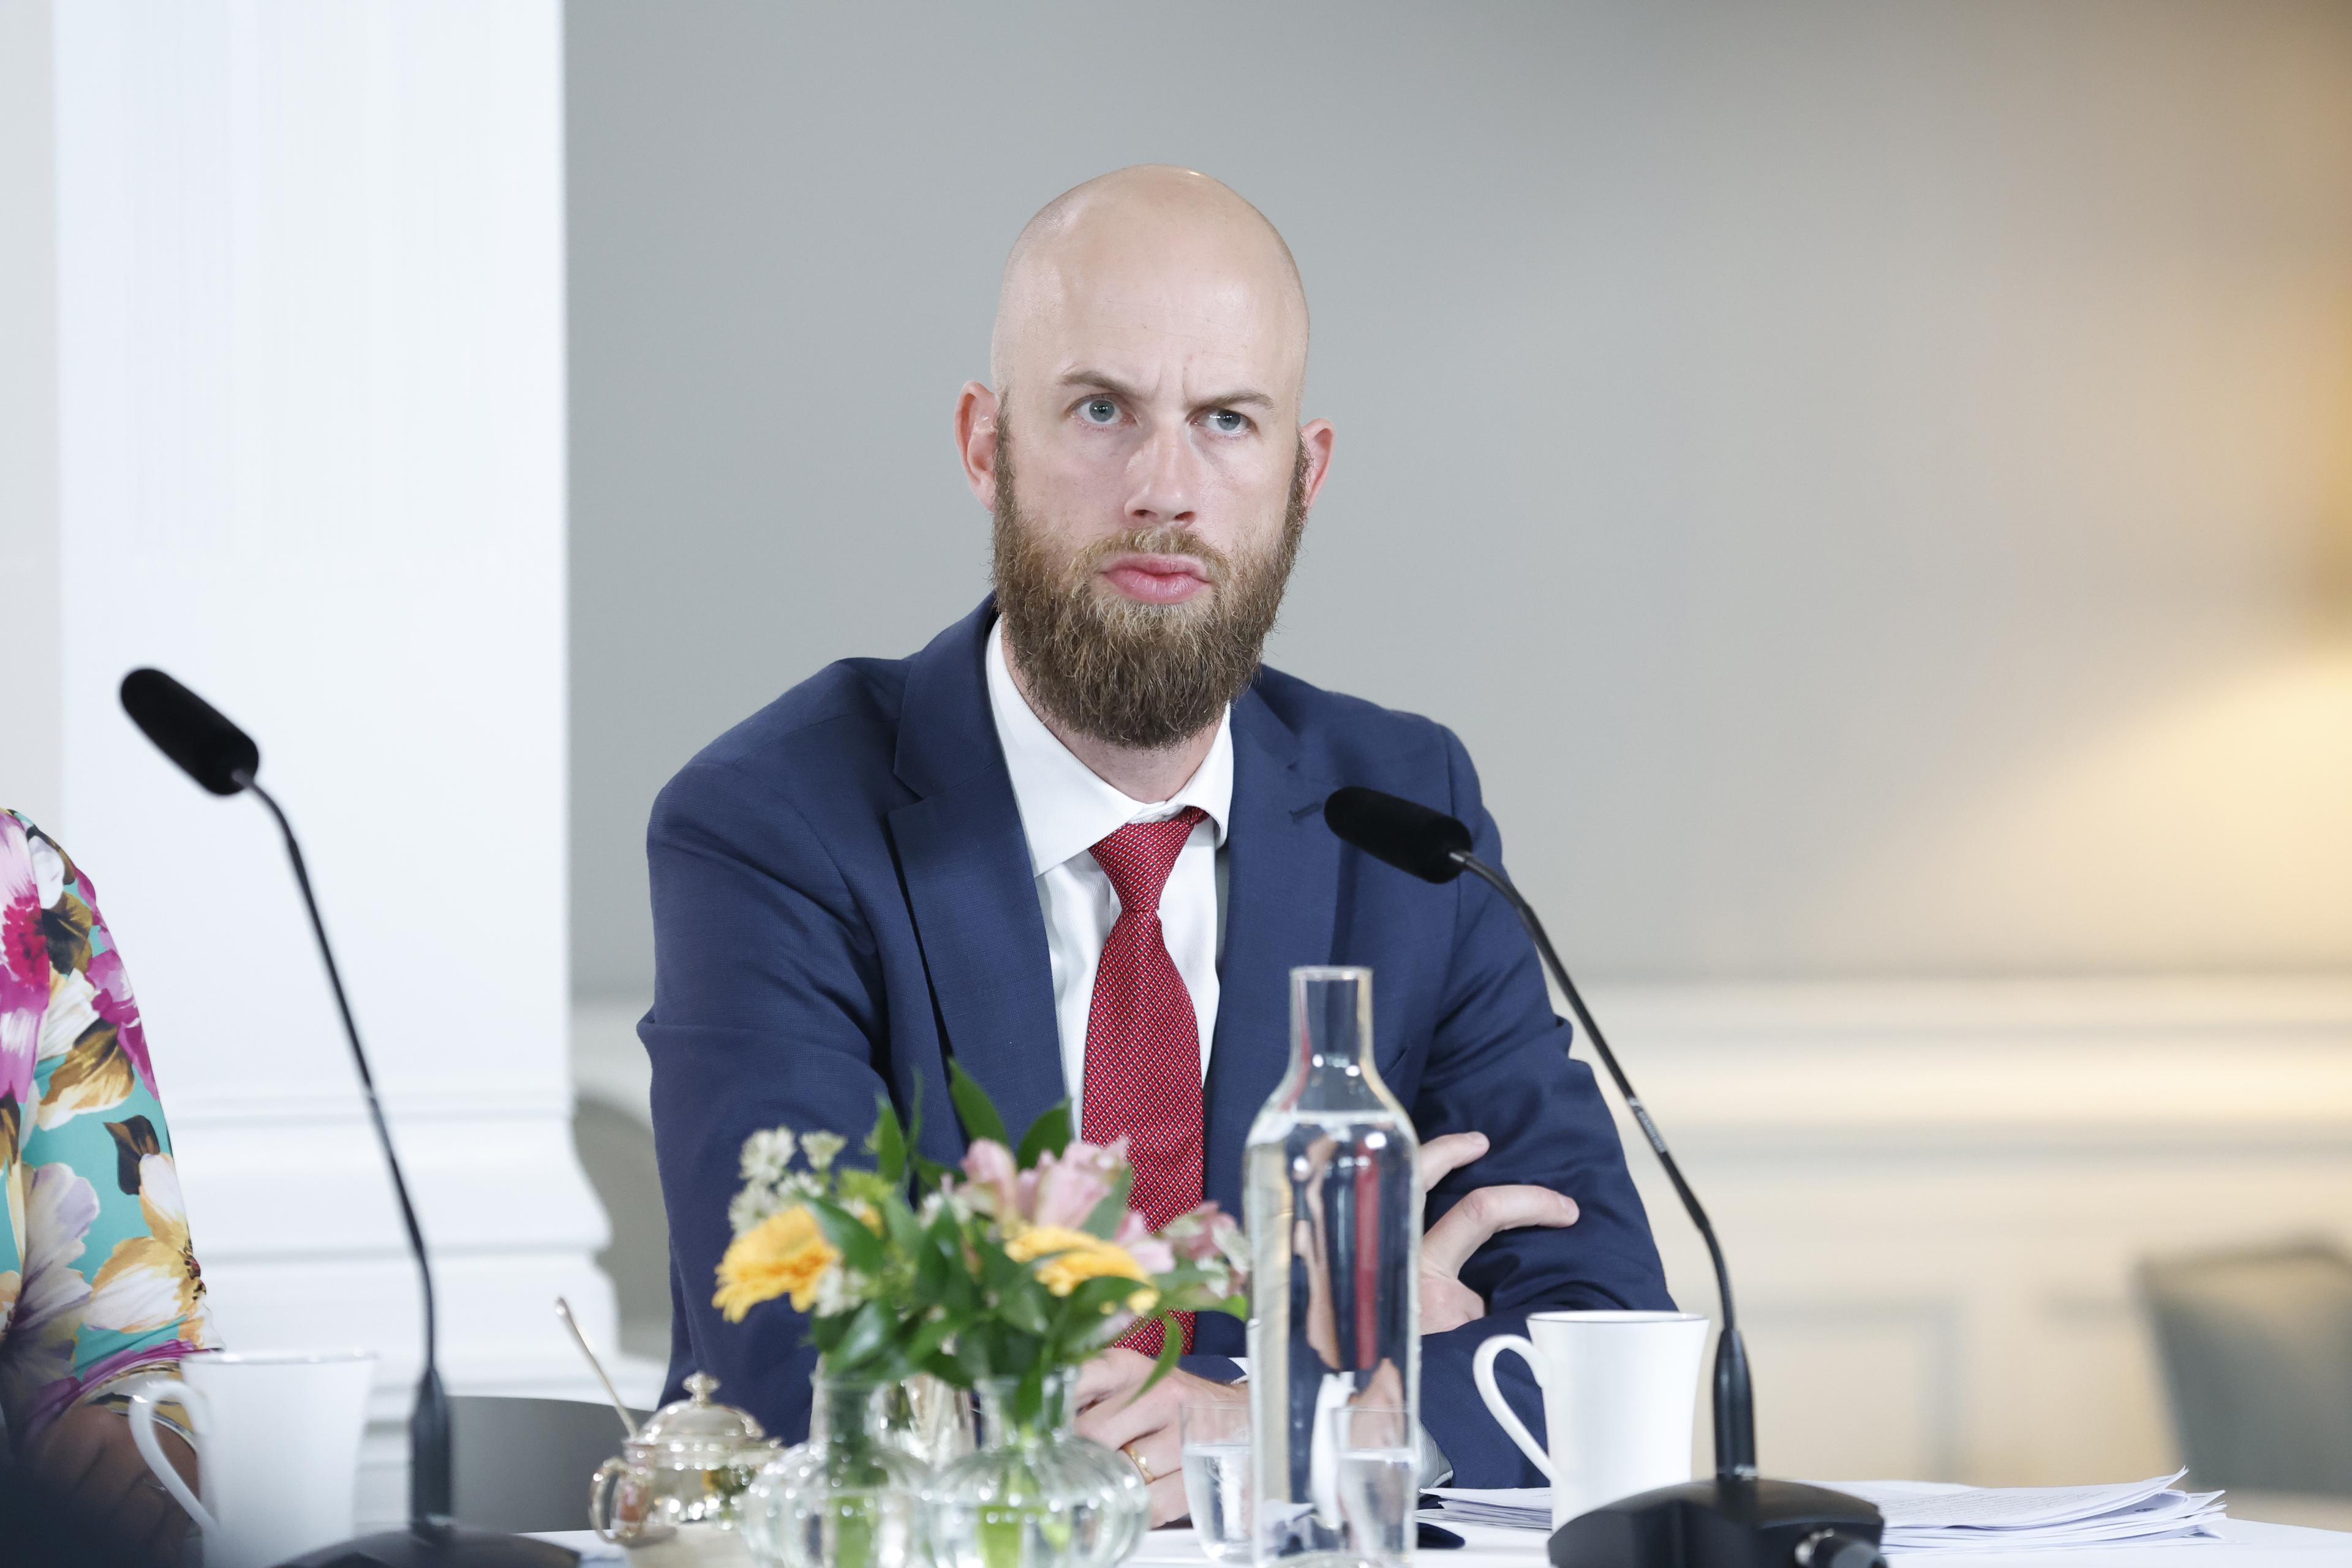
(222, 758)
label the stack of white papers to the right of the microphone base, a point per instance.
(1932, 1517)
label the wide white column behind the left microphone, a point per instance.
(312, 429)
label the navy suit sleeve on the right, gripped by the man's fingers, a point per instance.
(1499, 1066)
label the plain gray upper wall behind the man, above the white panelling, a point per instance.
(1871, 483)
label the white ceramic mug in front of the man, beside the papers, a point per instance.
(1619, 1400)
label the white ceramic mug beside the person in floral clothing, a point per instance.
(276, 1449)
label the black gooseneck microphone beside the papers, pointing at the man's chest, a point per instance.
(1737, 1520)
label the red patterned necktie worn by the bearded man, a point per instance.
(1144, 1040)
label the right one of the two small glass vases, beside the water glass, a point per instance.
(1036, 1494)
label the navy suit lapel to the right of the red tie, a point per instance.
(1281, 913)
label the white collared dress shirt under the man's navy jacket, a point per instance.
(1067, 810)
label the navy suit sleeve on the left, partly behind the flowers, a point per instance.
(768, 1012)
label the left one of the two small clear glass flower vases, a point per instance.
(848, 1499)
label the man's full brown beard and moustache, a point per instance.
(1121, 671)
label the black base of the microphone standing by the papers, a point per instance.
(1720, 1525)
